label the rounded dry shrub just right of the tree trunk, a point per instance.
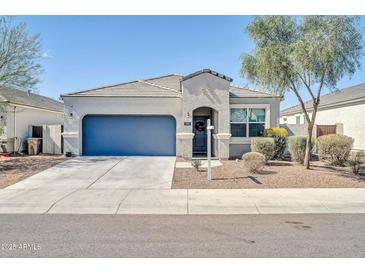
(334, 148)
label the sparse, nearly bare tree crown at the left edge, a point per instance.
(19, 55)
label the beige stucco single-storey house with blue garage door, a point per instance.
(167, 115)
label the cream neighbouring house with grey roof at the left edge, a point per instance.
(19, 110)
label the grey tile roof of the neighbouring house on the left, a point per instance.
(19, 97)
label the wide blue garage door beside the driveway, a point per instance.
(113, 135)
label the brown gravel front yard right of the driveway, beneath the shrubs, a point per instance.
(277, 174)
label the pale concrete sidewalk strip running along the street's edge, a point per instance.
(182, 201)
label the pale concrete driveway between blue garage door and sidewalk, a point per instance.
(105, 173)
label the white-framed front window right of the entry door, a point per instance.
(247, 122)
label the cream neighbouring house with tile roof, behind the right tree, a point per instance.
(339, 112)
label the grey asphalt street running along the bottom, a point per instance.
(312, 235)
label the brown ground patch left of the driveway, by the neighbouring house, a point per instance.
(15, 169)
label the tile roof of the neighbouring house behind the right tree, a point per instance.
(345, 95)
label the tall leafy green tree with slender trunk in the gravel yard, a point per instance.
(303, 55)
